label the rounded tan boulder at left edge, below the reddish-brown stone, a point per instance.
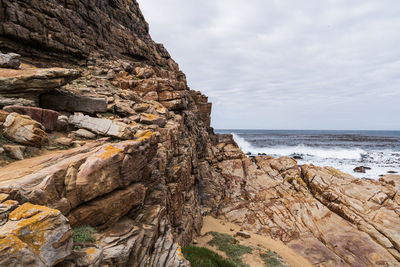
(22, 129)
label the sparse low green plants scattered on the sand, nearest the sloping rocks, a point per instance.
(233, 250)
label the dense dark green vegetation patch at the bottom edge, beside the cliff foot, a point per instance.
(203, 257)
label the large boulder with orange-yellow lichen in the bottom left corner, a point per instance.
(38, 233)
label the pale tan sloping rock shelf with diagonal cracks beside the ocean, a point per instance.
(329, 217)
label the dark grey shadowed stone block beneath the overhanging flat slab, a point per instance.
(72, 102)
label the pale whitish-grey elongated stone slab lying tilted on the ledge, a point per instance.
(101, 126)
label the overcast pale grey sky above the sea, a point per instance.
(280, 64)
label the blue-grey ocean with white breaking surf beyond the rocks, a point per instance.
(343, 150)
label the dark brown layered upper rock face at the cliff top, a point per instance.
(59, 30)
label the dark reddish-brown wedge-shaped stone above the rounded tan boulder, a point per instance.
(48, 118)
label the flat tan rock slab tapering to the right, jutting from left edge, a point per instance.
(27, 82)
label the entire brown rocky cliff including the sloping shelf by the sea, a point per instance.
(99, 128)
